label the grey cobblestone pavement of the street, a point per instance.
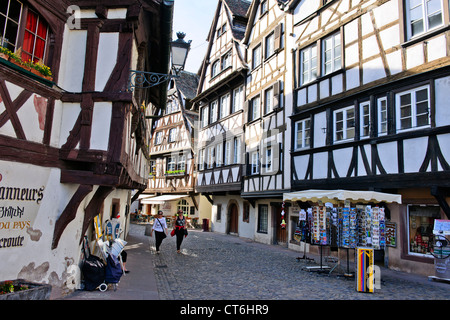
(215, 266)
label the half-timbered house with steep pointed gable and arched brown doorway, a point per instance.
(220, 99)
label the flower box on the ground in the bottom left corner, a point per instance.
(21, 289)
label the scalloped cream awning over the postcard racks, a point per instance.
(334, 196)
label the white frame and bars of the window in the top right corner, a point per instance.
(420, 12)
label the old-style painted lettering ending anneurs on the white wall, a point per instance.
(20, 200)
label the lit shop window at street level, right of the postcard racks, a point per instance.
(420, 228)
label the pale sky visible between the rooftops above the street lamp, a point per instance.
(194, 17)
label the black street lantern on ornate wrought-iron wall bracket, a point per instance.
(179, 50)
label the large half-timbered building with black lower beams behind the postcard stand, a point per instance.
(372, 83)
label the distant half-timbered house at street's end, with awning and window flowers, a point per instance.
(172, 175)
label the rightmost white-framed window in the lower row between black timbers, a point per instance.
(412, 108)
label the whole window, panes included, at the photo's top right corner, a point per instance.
(423, 16)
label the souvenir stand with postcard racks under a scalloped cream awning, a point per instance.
(342, 219)
